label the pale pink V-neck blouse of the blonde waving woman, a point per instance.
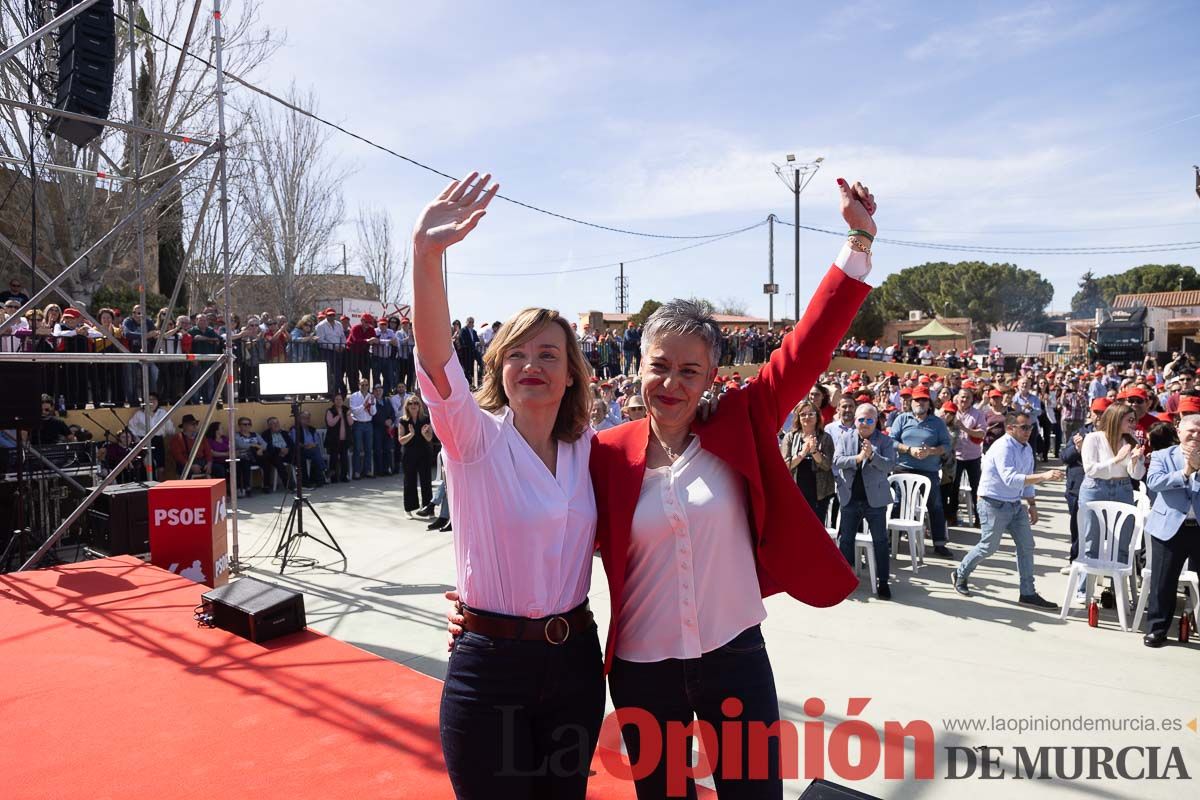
(524, 538)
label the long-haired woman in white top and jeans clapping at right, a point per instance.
(1113, 460)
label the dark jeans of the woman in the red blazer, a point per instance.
(680, 690)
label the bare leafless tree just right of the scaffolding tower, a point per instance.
(293, 201)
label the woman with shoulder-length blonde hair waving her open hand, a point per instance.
(524, 695)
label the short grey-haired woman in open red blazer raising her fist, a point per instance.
(699, 521)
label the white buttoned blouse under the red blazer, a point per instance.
(692, 584)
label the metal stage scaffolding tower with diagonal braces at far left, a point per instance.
(221, 365)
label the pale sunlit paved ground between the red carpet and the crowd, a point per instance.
(928, 655)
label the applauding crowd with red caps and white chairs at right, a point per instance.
(971, 432)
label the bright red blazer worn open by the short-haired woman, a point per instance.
(793, 551)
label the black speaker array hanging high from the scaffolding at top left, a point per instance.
(87, 61)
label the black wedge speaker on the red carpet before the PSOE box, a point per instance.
(255, 610)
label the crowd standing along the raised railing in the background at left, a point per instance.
(376, 348)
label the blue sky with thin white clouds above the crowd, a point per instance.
(998, 124)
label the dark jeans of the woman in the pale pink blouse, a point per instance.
(521, 720)
